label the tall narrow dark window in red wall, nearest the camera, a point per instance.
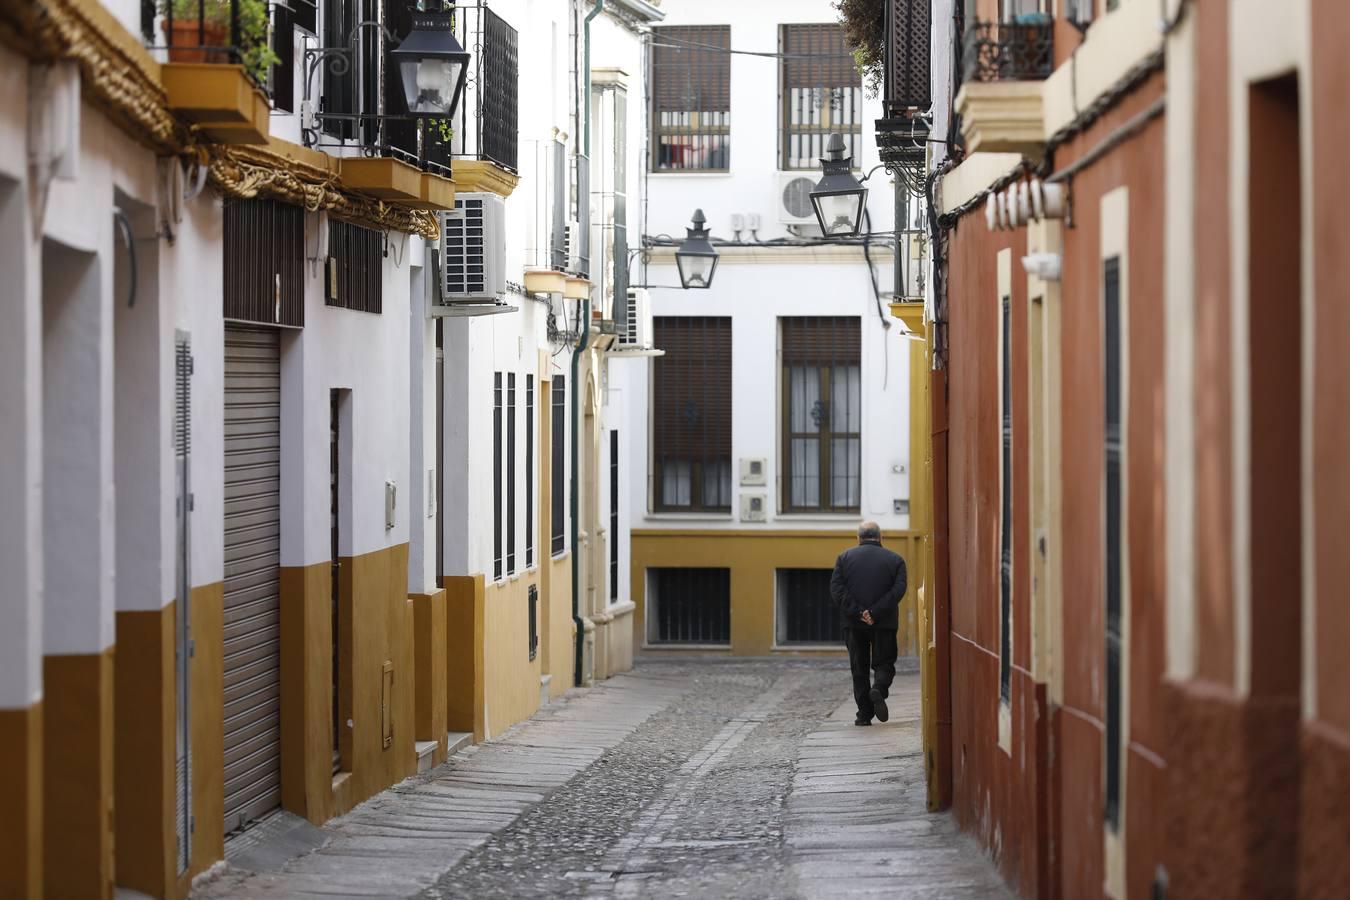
(1114, 523)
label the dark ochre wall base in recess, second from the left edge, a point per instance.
(78, 775)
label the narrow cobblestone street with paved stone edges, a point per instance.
(692, 779)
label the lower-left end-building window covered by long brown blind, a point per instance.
(692, 403)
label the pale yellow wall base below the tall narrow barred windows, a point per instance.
(512, 678)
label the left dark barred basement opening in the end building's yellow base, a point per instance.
(691, 607)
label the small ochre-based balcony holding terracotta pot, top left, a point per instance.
(218, 59)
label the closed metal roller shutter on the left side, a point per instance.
(253, 561)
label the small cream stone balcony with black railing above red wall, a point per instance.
(1004, 65)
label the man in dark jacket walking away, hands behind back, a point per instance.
(867, 586)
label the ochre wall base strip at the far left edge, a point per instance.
(21, 798)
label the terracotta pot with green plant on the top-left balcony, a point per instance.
(202, 34)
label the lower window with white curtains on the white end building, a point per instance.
(823, 414)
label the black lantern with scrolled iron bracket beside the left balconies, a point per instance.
(433, 68)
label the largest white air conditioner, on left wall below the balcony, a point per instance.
(473, 250)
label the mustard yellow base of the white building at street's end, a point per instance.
(754, 559)
